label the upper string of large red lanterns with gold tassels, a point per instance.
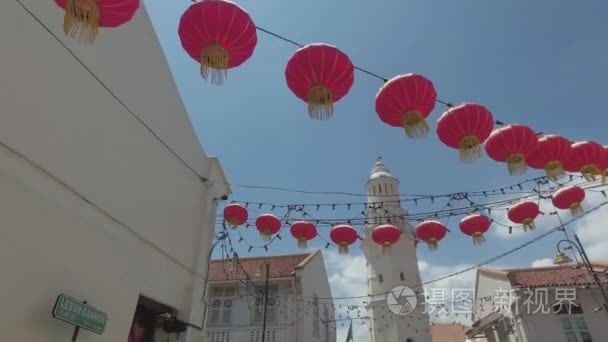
(221, 35)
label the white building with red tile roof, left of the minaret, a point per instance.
(299, 308)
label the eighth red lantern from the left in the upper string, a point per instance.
(585, 157)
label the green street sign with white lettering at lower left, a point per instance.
(80, 314)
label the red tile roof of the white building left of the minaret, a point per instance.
(281, 266)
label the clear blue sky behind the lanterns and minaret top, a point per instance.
(540, 63)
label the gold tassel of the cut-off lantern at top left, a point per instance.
(81, 20)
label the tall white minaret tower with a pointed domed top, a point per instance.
(399, 268)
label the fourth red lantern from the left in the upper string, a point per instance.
(406, 101)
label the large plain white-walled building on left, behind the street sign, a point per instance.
(92, 204)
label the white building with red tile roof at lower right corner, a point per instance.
(548, 304)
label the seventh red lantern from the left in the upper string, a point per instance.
(549, 155)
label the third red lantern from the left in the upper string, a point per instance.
(320, 75)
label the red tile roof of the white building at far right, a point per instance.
(565, 275)
